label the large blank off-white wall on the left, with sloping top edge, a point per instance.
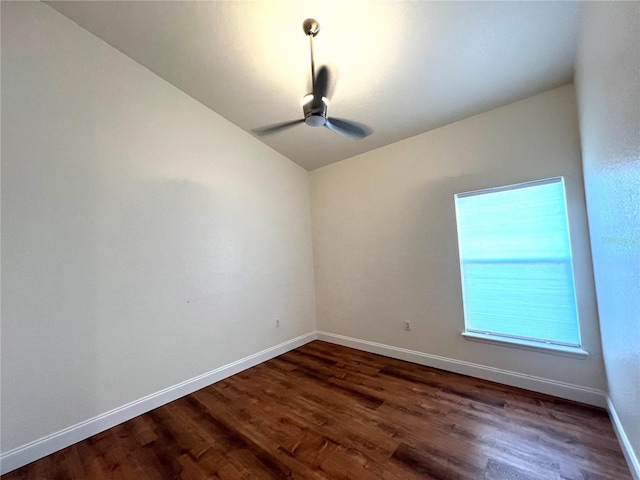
(145, 239)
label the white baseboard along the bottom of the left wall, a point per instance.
(42, 447)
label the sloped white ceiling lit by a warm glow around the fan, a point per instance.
(399, 67)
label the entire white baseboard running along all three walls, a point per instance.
(40, 448)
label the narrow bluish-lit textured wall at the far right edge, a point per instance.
(608, 86)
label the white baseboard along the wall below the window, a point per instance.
(568, 391)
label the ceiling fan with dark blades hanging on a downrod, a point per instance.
(314, 104)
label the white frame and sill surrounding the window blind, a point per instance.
(540, 345)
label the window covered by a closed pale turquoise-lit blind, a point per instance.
(515, 258)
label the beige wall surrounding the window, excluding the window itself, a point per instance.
(385, 243)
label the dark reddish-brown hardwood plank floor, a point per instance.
(328, 412)
